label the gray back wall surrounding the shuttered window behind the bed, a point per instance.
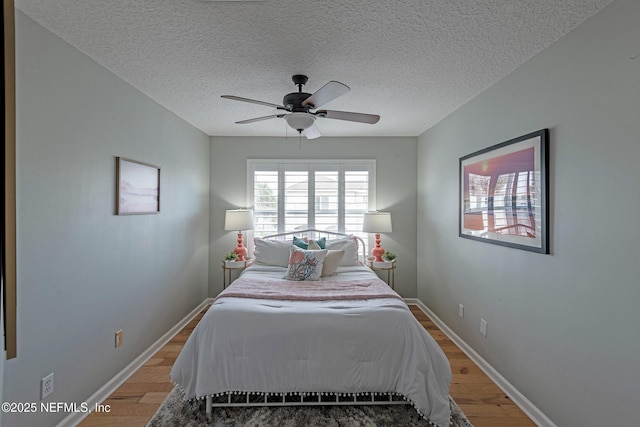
(396, 189)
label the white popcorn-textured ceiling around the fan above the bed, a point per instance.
(411, 61)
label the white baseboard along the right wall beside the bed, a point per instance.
(532, 411)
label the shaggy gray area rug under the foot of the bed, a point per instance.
(175, 411)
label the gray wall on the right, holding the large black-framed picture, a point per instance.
(562, 328)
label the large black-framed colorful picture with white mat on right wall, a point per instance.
(504, 193)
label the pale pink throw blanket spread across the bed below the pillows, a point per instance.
(308, 290)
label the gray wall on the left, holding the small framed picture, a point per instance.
(83, 272)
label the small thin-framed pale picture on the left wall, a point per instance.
(137, 187)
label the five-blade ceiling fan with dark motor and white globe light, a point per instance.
(298, 107)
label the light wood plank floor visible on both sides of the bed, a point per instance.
(136, 401)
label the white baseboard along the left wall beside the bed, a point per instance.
(106, 390)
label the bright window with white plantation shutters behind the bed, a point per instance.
(330, 195)
